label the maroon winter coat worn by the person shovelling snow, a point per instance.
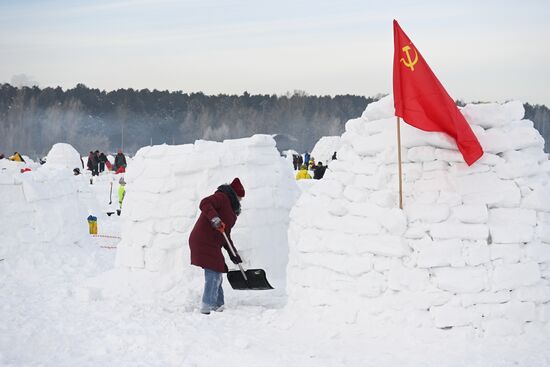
(204, 241)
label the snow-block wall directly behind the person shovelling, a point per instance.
(164, 187)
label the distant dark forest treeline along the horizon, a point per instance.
(32, 119)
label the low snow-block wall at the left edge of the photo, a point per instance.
(38, 208)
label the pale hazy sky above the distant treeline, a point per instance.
(480, 50)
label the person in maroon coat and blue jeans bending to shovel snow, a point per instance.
(219, 213)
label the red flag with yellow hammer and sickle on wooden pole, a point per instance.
(421, 100)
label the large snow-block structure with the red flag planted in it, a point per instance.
(471, 247)
